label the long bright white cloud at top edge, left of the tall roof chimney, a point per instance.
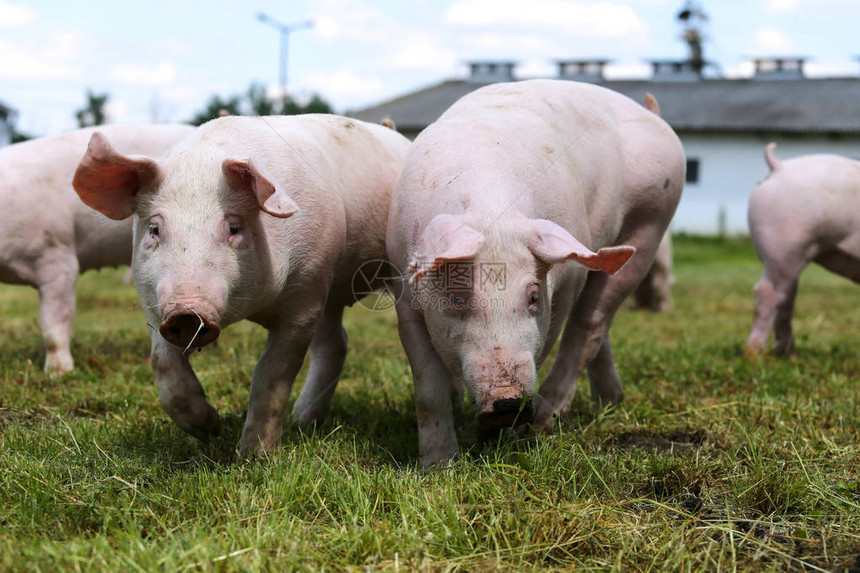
(586, 19)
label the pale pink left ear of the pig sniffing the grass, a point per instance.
(446, 238)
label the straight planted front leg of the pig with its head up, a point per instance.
(271, 383)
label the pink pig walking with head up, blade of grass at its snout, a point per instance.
(259, 218)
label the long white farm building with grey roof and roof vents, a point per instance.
(723, 123)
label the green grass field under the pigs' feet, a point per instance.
(714, 463)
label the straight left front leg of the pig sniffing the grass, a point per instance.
(437, 438)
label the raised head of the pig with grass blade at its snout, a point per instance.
(197, 219)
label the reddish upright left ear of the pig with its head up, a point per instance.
(108, 181)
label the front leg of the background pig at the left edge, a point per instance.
(57, 277)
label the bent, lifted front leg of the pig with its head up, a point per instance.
(180, 392)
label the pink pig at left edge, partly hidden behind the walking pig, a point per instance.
(50, 236)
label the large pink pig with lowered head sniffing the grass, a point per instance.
(504, 206)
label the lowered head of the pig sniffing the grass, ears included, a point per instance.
(486, 296)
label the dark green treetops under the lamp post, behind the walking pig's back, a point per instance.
(256, 102)
